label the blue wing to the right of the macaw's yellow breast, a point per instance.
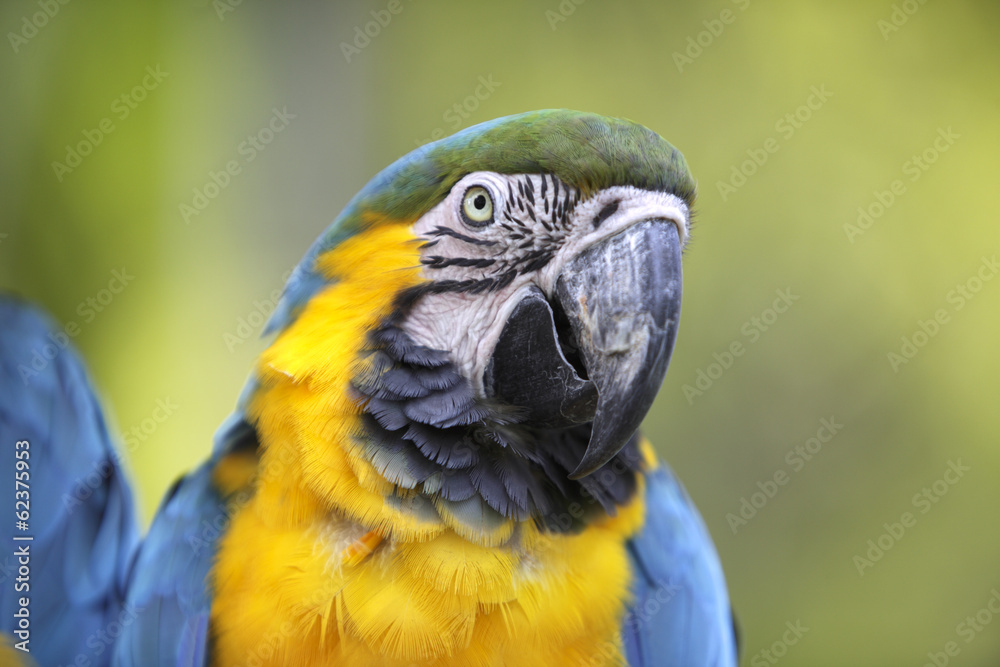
(680, 613)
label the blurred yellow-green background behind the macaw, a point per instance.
(799, 119)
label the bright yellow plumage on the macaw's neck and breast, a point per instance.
(319, 569)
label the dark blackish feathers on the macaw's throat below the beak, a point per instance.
(424, 429)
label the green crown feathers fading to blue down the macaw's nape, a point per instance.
(585, 150)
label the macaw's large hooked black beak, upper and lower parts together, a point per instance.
(601, 355)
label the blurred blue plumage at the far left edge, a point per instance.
(82, 516)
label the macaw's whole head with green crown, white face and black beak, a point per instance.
(512, 350)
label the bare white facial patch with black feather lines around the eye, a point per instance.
(479, 270)
